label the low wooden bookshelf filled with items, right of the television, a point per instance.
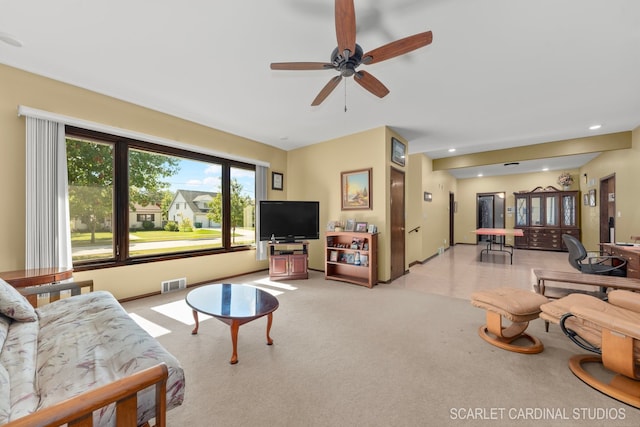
(351, 257)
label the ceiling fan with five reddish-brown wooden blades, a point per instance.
(349, 55)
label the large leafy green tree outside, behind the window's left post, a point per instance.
(91, 180)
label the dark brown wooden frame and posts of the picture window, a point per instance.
(121, 146)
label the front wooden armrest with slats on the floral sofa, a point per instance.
(78, 411)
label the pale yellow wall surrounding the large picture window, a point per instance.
(21, 88)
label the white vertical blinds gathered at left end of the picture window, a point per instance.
(47, 212)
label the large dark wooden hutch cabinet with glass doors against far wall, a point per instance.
(544, 215)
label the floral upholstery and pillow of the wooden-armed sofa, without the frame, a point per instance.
(60, 350)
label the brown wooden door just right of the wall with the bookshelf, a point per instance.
(397, 224)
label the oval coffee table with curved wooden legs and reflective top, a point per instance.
(234, 305)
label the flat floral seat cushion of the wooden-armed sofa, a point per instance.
(89, 340)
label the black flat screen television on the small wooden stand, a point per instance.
(289, 221)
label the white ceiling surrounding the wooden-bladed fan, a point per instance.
(499, 73)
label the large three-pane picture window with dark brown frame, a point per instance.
(133, 201)
